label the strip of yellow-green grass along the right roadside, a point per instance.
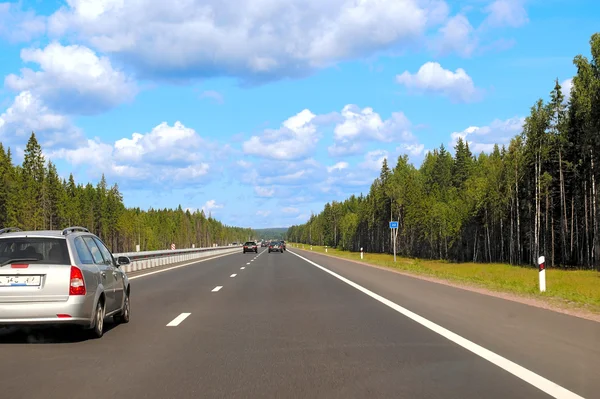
(579, 289)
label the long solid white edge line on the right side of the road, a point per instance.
(543, 384)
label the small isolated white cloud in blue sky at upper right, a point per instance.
(432, 78)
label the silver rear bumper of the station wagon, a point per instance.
(43, 313)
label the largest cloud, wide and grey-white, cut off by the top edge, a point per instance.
(254, 41)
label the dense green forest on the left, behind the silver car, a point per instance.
(34, 197)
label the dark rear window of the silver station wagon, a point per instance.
(34, 250)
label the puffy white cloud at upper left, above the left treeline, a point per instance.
(73, 79)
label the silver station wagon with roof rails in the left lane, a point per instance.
(66, 277)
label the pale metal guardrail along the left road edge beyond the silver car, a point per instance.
(150, 259)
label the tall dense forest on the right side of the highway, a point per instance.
(537, 196)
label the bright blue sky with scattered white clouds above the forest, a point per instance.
(261, 111)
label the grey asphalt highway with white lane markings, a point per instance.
(307, 326)
